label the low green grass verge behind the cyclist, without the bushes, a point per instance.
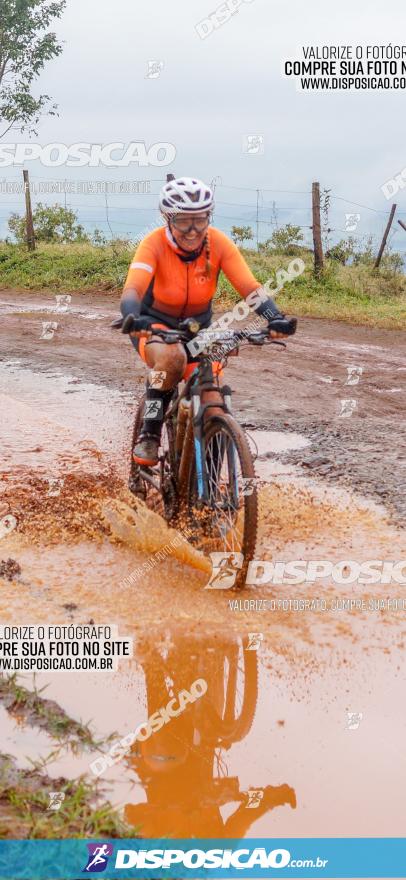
(356, 294)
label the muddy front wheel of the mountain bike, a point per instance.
(228, 522)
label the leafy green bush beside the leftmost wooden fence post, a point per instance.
(52, 223)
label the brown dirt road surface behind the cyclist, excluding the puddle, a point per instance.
(299, 389)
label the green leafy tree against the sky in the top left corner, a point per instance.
(25, 45)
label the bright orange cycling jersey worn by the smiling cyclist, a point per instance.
(172, 286)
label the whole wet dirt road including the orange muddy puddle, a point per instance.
(334, 488)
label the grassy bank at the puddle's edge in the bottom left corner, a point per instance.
(25, 793)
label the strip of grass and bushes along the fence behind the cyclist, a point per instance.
(349, 289)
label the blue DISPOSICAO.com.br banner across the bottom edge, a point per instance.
(316, 857)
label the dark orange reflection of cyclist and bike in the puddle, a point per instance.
(182, 769)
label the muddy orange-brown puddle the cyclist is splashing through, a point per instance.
(300, 730)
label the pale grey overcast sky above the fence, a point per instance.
(212, 93)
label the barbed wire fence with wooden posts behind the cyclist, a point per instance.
(267, 211)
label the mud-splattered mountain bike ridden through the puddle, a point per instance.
(205, 478)
